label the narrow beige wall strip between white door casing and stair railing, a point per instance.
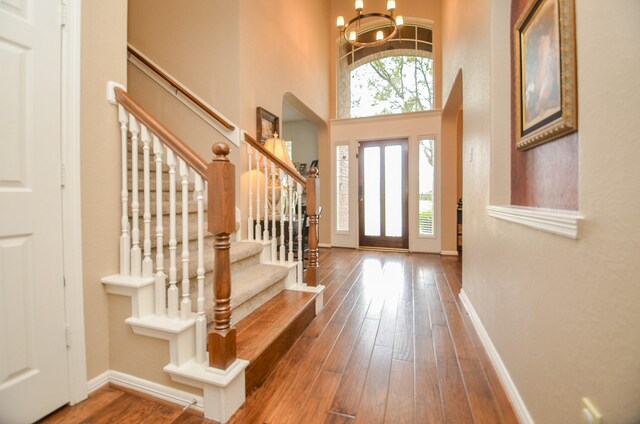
(104, 37)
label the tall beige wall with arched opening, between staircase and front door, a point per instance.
(284, 52)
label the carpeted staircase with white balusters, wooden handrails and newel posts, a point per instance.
(229, 308)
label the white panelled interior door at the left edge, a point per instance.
(33, 352)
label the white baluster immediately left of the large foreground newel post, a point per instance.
(201, 321)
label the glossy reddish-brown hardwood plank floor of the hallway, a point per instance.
(393, 344)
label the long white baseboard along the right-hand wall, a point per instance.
(494, 356)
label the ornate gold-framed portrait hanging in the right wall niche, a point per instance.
(545, 72)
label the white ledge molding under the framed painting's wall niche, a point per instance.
(556, 221)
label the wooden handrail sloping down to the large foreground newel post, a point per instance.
(178, 146)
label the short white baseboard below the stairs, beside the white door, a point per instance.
(147, 387)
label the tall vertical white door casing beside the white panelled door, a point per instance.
(72, 201)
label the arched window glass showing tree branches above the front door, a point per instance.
(395, 84)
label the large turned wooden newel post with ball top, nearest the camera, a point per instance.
(221, 215)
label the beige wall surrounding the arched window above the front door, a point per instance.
(422, 9)
